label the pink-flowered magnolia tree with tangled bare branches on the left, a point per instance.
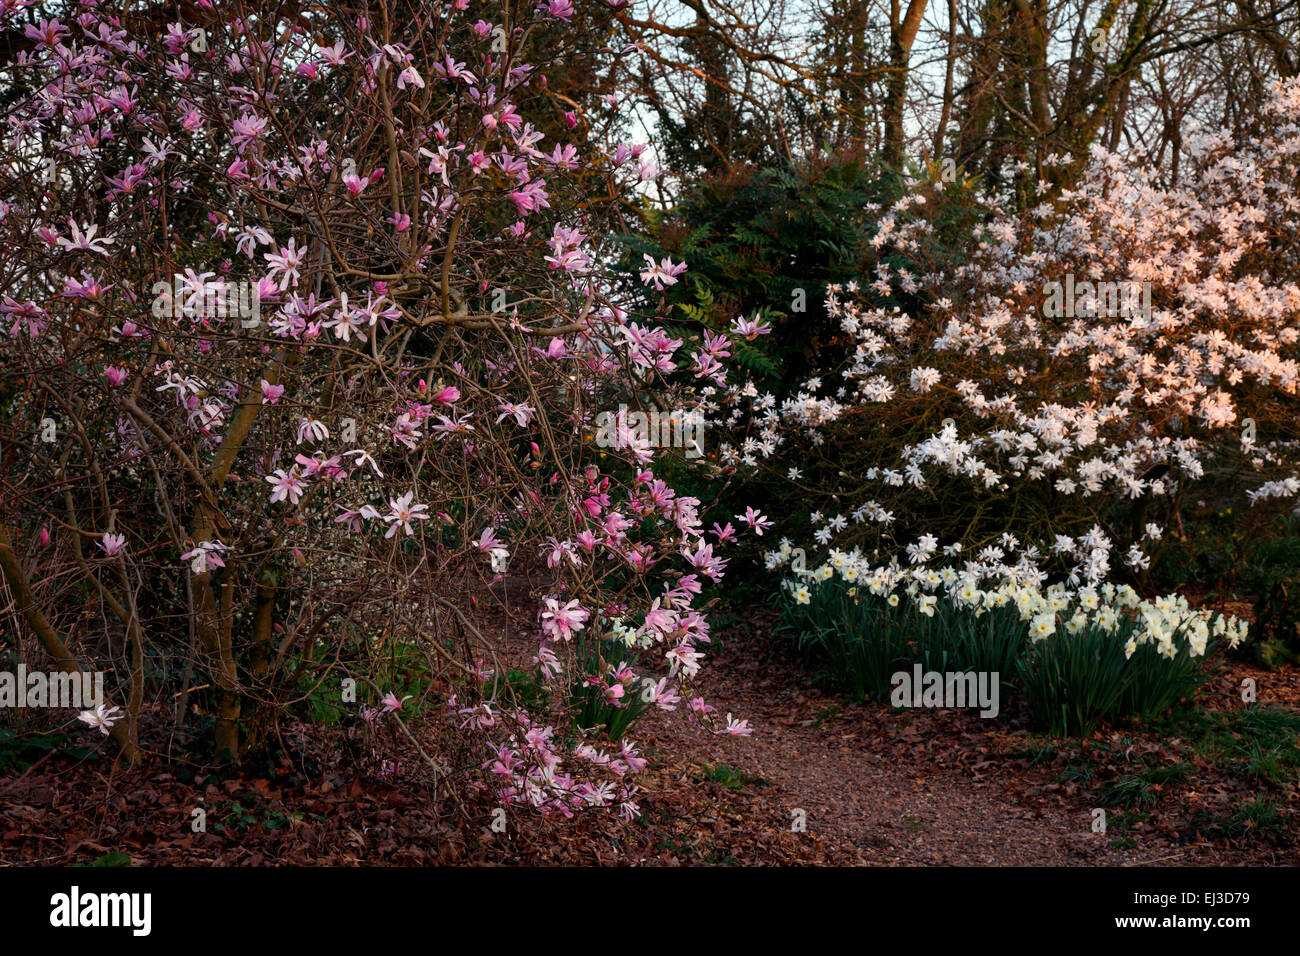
(306, 331)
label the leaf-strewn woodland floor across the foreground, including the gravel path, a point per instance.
(877, 788)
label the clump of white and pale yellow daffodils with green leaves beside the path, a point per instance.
(1080, 655)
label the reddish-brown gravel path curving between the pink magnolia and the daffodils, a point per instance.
(881, 788)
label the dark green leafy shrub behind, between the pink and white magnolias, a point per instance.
(765, 243)
